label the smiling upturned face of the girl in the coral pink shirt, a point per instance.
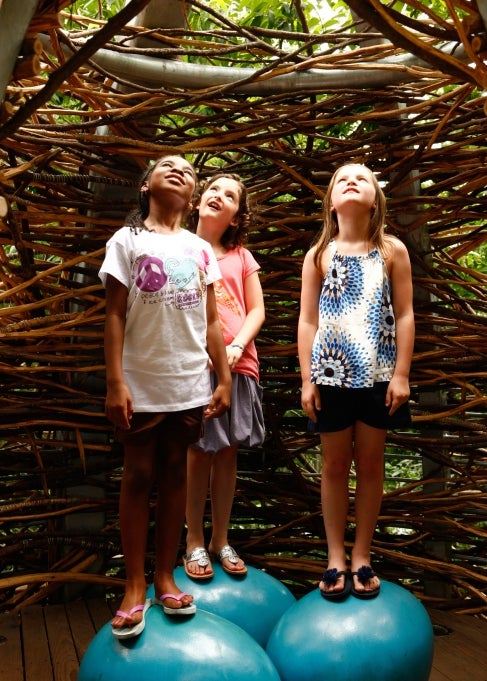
(219, 203)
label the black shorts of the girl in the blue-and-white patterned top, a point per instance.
(342, 407)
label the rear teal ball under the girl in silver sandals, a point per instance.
(255, 601)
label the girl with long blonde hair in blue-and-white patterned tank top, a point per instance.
(355, 343)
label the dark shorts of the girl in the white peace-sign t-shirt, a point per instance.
(184, 427)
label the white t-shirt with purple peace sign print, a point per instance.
(165, 361)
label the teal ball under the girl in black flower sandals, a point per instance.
(387, 638)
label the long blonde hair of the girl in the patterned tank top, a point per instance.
(330, 221)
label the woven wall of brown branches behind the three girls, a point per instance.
(74, 140)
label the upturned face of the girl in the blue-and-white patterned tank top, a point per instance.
(353, 185)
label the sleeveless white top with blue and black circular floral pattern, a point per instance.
(355, 344)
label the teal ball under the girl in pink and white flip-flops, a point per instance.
(201, 647)
